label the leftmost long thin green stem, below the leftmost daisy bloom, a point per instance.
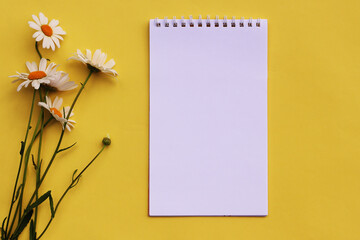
(21, 160)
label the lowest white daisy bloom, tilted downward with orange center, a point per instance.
(55, 109)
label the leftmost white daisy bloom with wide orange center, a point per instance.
(37, 76)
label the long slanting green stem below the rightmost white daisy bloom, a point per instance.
(60, 139)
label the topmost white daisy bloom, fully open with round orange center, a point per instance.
(49, 33)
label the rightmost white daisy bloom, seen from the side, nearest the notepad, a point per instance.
(96, 63)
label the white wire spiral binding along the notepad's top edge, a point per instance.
(191, 22)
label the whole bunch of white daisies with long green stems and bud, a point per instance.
(45, 79)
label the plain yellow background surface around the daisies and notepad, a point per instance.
(314, 119)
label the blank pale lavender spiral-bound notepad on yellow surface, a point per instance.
(208, 117)
